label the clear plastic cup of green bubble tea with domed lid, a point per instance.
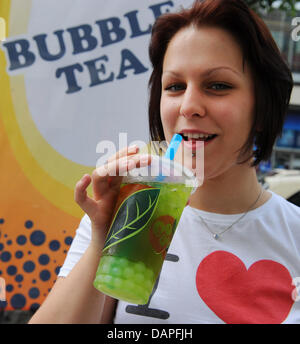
(145, 219)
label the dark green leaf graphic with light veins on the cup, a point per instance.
(132, 216)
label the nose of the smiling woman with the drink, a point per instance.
(192, 103)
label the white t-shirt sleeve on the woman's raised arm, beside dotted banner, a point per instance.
(78, 246)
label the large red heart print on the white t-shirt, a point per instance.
(259, 295)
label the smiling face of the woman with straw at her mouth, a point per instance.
(206, 89)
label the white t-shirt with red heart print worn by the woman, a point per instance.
(246, 276)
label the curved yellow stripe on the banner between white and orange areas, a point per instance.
(50, 187)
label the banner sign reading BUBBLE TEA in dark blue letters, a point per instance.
(73, 74)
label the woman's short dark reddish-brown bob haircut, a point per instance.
(273, 81)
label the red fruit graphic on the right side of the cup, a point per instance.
(161, 232)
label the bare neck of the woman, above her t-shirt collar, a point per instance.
(231, 193)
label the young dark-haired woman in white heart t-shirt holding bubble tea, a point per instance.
(217, 76)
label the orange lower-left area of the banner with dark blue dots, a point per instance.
(21, 202)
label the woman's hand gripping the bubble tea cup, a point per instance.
(106, 181)
